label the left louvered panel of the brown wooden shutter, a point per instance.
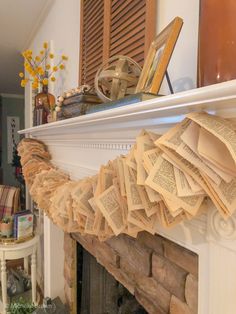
(91, 43)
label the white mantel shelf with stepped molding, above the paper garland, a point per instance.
(161, 111)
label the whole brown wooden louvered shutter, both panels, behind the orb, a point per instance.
(125, 27)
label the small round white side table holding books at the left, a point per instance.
(16, 251)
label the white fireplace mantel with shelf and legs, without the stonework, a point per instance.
(80, 145)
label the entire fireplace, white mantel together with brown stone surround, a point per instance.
(80, 145)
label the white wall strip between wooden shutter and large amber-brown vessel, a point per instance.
(183, 64)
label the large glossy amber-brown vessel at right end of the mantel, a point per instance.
(217, 42)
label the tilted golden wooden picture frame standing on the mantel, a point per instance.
(158, 58)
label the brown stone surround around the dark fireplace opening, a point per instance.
(162, 275)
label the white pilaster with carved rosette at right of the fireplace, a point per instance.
(221, 236)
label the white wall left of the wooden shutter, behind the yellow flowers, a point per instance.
(61, 26)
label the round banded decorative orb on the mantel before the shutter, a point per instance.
(117, 78)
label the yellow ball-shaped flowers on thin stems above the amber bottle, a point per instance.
(39, 69)
